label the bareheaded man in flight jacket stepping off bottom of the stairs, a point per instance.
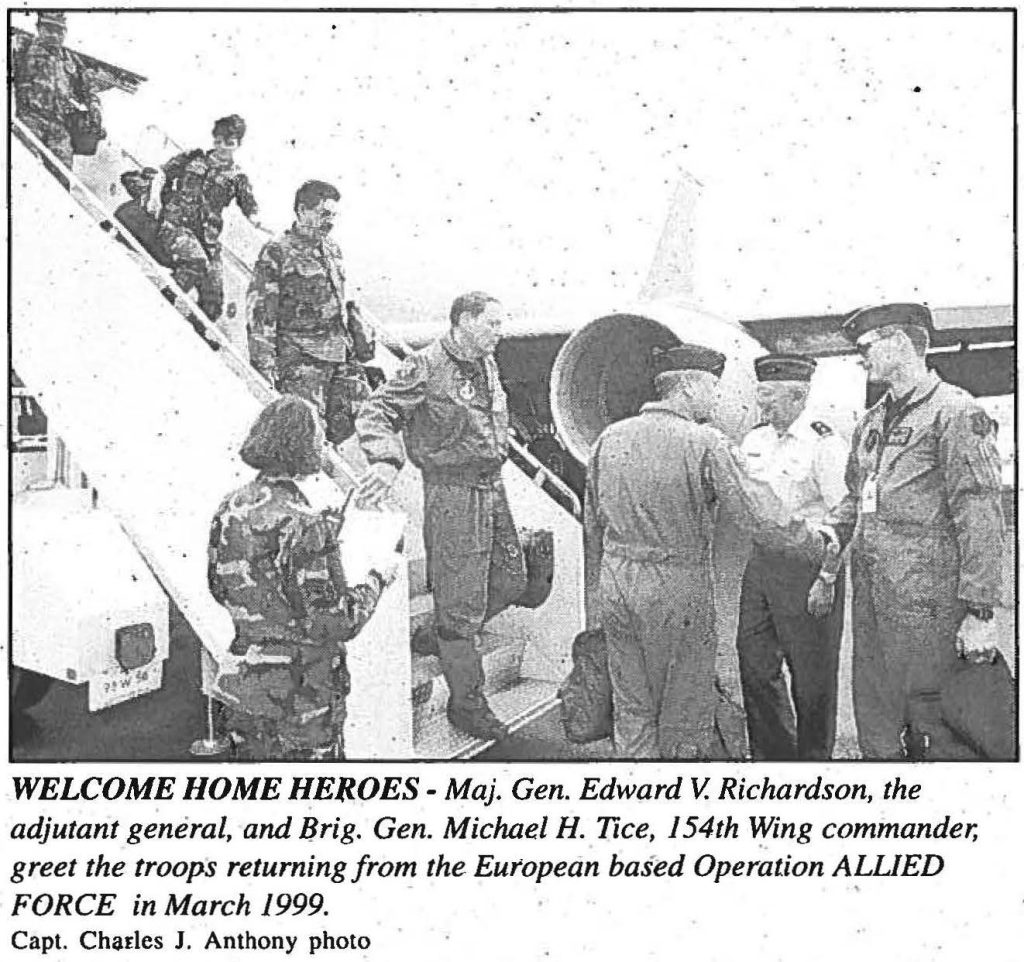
(450, 405)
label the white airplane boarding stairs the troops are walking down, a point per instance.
(133, 390)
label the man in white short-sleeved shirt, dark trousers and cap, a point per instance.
(804, 463)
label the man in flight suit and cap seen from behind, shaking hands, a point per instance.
(656, 486)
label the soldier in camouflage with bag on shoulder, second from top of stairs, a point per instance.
(198, 187)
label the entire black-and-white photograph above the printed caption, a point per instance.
(513, 386)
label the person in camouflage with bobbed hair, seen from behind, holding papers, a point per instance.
(275, 566)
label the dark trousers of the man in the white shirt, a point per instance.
(776, 631)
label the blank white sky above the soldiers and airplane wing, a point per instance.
(845, 157)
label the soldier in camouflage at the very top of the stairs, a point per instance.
(51, 89)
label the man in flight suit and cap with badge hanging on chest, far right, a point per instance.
(924, 521)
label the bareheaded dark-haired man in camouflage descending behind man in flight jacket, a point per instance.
(304, 337)
